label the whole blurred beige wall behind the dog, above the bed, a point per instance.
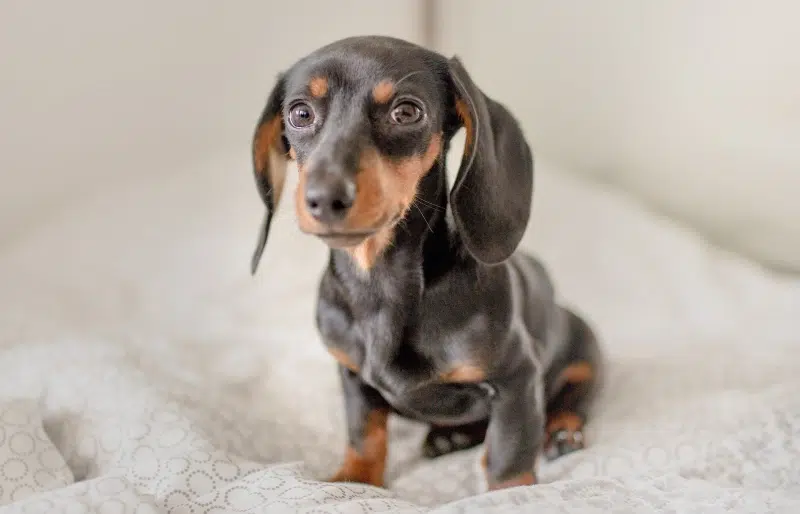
(691, 106)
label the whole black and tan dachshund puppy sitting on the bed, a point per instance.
(426, 304)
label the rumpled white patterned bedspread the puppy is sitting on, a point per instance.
(144, 370)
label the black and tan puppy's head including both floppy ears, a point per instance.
(365, 118)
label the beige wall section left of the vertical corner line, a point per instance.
(92, 90)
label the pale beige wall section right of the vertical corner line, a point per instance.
(693, 104)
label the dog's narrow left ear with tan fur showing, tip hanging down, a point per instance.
(270, 161)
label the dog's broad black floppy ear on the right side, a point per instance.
(492, 193)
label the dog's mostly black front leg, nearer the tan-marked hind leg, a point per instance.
(516, 430)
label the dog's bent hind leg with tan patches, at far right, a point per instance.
(572, 385)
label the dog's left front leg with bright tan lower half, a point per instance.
(366, 414)
